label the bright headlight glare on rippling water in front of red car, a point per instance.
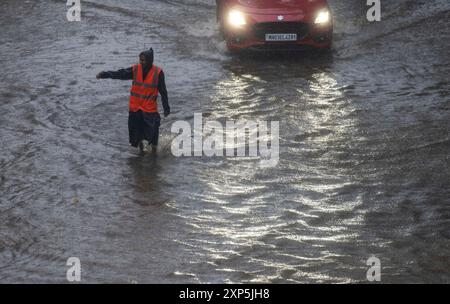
(277, 212)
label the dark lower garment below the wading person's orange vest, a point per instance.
(143, 125)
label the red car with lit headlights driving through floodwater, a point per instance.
(279, 24)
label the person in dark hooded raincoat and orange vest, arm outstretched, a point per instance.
(144, 119)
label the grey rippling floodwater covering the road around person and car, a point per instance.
(364, 149)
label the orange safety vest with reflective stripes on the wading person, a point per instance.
(144, 93)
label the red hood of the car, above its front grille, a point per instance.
(279, 6)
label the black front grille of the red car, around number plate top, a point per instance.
(261, 29)
